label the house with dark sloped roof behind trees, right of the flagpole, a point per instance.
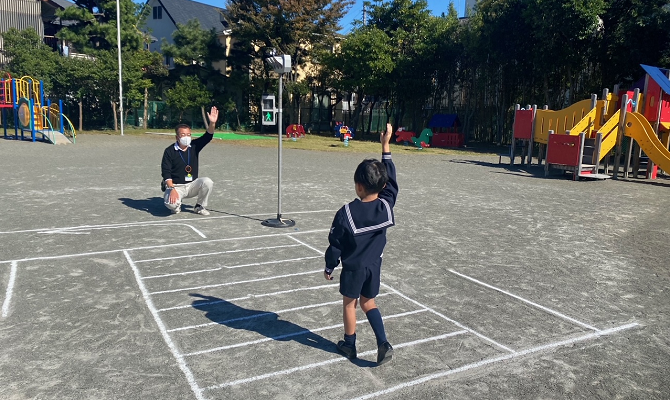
(162, 22)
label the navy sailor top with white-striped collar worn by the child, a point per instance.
(358, 234)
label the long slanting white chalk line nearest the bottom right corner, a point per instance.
(497, 359)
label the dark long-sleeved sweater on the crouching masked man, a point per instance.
(173, 164)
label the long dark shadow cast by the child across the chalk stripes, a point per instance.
(265, 323)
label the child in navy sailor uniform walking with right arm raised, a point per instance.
(357, 238)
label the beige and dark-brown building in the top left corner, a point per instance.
(37, 14)
